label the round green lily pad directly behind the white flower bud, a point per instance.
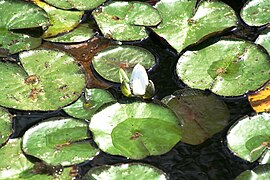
(108, 61)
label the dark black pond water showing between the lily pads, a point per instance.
(210, 160)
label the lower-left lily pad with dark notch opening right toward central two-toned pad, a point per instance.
(58, 141)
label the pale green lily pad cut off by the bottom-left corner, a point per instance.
(13, 162)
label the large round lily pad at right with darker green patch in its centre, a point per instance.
(238, 67)
